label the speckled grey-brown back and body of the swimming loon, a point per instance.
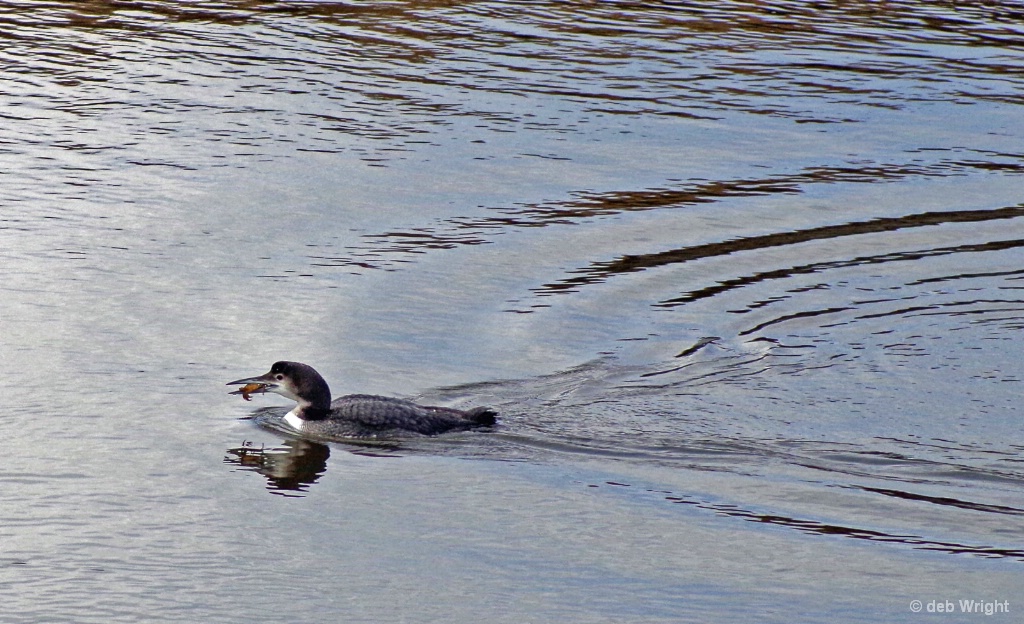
(369, 415)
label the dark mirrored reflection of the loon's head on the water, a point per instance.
(289, 470)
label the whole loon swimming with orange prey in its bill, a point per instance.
(358, 415)
